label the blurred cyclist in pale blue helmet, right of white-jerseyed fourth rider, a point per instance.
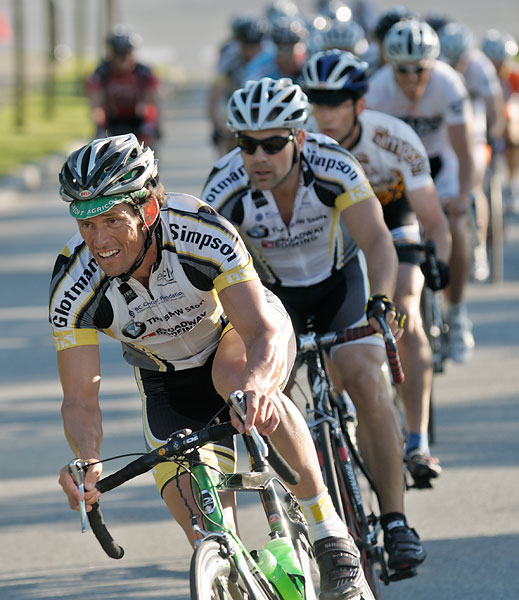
(480, 76)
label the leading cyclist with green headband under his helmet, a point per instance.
(172, 281)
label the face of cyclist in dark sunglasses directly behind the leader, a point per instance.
(266, 171)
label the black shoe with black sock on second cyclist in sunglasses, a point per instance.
(403, 546)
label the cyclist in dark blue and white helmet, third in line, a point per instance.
(396, 164)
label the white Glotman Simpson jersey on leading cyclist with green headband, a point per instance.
(177, 321)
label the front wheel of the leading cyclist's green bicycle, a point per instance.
(212, 575)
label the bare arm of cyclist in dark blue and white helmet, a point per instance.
(426, 204)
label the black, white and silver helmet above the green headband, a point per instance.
(108, 167)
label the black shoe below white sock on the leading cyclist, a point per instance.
(339, 566)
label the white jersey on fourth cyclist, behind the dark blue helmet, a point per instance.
(444, 102)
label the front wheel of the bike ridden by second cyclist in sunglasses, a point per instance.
(356, 519)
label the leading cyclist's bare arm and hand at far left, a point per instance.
(79, 371)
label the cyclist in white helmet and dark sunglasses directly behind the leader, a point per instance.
(317, 235)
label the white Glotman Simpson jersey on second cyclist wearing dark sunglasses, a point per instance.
(316, 241)
